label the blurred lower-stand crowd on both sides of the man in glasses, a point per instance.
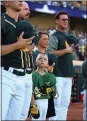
(78, 53)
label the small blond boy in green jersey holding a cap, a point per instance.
(43, 85)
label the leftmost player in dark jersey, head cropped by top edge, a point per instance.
(14, 77)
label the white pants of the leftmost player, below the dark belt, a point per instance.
(13, 95)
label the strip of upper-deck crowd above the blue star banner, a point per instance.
(82, 5)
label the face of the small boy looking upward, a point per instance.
(42, 61)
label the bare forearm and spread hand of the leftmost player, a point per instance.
(20, 44)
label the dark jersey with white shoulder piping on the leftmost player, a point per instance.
(8, 36)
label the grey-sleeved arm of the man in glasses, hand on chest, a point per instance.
(53, 45)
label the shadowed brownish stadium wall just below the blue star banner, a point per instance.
(45, 21)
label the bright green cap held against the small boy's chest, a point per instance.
(48, 79)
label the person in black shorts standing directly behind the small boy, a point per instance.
(42, 48)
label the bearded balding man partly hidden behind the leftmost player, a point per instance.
(26, 26)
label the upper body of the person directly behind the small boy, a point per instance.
(42, 48)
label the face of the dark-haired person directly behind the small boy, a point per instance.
(43, 42)
